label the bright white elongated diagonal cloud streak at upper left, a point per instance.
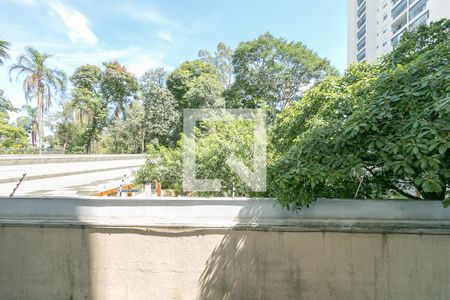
(77, 24)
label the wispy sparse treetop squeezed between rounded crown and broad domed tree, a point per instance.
(222, 59)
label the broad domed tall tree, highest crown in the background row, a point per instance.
(273, 72)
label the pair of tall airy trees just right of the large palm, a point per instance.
(97, 94)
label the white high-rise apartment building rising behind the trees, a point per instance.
(376, 26)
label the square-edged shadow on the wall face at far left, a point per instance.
(44, 262)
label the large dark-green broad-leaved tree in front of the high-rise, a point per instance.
(377, 130)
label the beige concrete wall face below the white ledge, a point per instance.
(88, 263)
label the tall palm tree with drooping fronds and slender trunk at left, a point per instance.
(40, 81)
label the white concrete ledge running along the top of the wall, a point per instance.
(226, 213)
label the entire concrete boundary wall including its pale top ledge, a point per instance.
(390, 258)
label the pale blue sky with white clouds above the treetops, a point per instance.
(147, 34)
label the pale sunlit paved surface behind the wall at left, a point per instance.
(69, 176)
